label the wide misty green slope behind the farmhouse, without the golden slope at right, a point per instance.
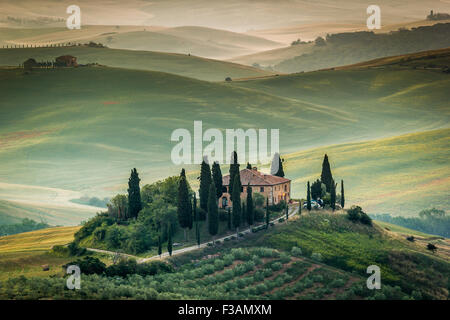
(94, 133)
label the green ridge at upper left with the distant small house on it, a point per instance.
(181, 64)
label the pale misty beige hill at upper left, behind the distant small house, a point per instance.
(198, 41)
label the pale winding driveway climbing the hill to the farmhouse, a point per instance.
(292, 211)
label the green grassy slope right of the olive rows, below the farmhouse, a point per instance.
(353, 247)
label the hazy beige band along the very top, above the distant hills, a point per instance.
(235, 15)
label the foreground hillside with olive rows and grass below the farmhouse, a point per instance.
(329, 261)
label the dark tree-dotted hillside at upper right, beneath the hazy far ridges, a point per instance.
(352, 47)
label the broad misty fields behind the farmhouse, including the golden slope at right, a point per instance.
(86, 137)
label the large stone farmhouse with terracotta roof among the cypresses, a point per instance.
(274, 188)
